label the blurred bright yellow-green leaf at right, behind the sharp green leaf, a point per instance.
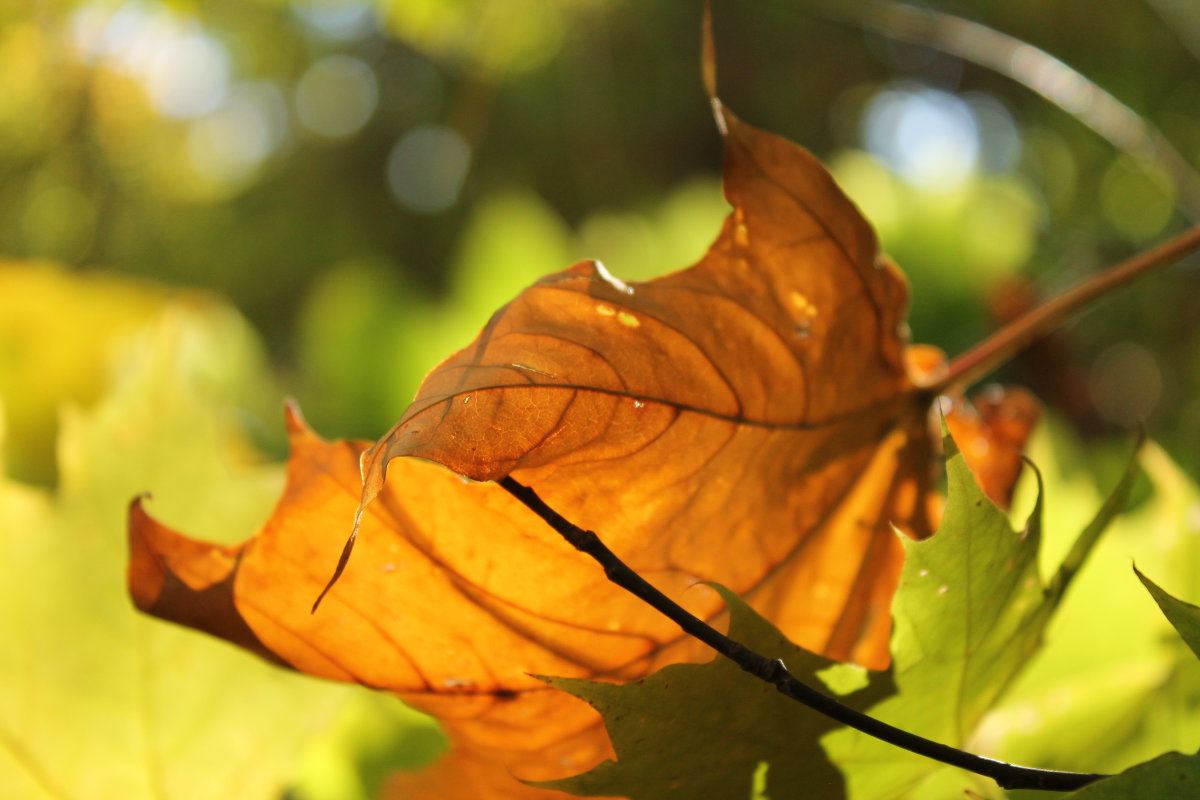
(1113, 685)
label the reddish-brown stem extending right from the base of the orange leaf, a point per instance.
(1009, 341)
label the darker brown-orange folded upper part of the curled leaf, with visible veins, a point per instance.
(749, 420)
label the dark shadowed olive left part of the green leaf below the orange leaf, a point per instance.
(709, 731)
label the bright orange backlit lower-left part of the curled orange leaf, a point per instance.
(457, 594)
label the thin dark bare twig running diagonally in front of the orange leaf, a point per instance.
(1009, 777)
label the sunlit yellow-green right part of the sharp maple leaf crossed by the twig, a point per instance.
(970, 612)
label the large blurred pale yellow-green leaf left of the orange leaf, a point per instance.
(98, 701)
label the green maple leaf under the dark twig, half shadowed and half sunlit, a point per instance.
(971, 611)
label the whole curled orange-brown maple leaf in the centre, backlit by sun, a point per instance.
(754, 420)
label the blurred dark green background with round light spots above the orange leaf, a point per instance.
(364, 182)
